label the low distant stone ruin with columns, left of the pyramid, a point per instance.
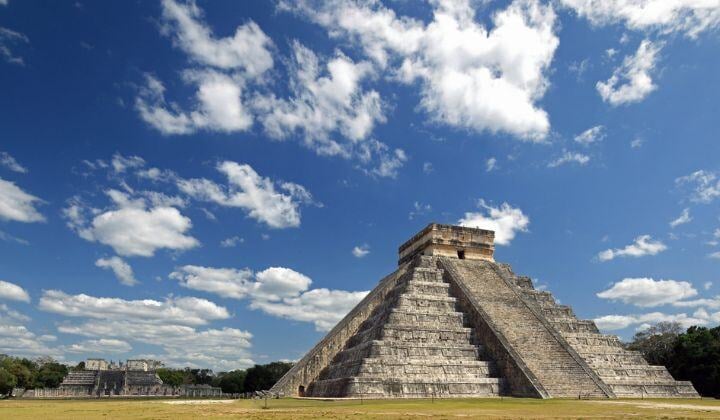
(134, 378)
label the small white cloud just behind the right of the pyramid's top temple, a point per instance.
(505, 221)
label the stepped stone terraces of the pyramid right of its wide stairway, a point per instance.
(626, 372)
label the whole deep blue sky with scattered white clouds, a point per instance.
(217, 183)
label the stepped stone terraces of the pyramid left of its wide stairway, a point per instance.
(415, 344)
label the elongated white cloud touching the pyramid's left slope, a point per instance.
(277, 291)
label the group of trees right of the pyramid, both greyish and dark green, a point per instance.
(693, 355)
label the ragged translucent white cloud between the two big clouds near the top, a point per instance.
(328, 102)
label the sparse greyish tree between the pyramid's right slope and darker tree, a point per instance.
(657, 342)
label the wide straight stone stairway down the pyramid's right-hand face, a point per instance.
(557, 367)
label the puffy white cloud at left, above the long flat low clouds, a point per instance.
(131, 228)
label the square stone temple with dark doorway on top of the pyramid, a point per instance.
(449, 241)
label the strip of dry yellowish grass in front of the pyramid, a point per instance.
(302, 408)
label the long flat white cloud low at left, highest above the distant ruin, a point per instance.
(181, 310)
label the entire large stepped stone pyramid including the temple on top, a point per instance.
(452, 322)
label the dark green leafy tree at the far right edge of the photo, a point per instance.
(696, 357)
